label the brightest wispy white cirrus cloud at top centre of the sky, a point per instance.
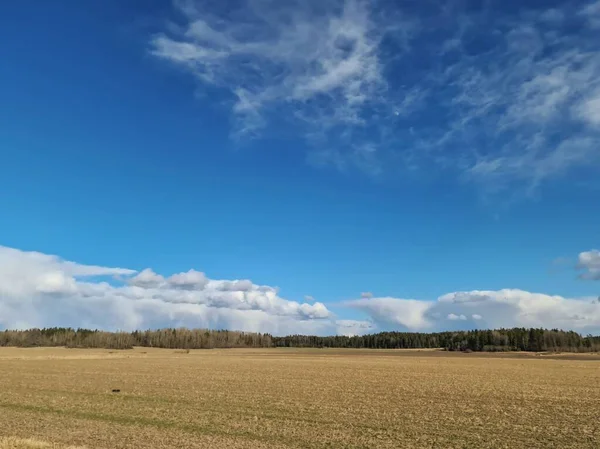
(318, 60)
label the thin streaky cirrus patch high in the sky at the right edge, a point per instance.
(533, 101)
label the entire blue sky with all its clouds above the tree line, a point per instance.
(319, 167)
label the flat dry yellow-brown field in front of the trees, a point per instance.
(277, 398)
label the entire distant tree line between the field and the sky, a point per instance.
(516, 339)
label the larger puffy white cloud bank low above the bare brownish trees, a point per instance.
(41, 290)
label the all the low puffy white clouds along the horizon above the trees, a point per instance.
(39, 290)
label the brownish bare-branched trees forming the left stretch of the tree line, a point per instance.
(162, 338)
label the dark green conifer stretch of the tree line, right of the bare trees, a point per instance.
(517, 339)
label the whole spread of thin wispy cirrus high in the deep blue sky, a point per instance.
(500, 96)
